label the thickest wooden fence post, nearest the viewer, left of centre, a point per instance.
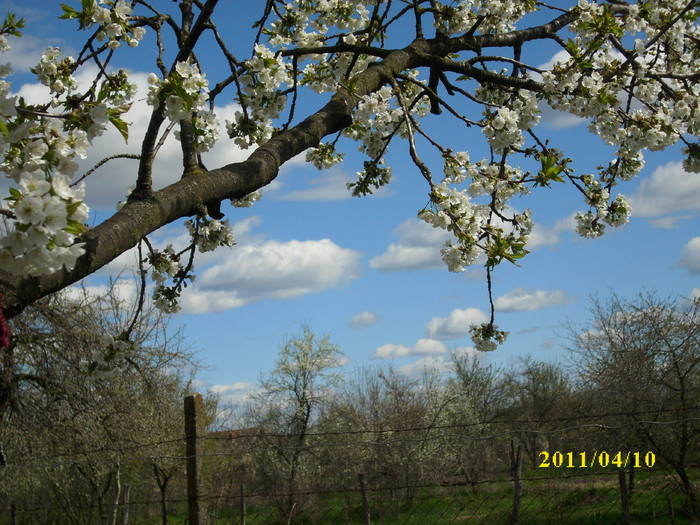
(194, 448)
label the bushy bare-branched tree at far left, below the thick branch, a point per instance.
(77, 409)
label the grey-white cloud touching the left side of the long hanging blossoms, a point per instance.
(418, 248)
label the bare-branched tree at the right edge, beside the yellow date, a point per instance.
(640, 358)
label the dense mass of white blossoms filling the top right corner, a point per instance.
(598, 81)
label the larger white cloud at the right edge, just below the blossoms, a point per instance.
(668, 191)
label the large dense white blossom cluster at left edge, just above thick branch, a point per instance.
(48, 212)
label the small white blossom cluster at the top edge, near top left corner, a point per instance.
(112, 20)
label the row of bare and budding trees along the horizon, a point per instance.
(76, 444)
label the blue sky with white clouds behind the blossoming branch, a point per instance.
(366, 271)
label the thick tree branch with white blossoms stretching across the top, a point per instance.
(383, 69)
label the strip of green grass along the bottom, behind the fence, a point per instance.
(560, 500)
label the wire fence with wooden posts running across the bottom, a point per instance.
(578, 470)
